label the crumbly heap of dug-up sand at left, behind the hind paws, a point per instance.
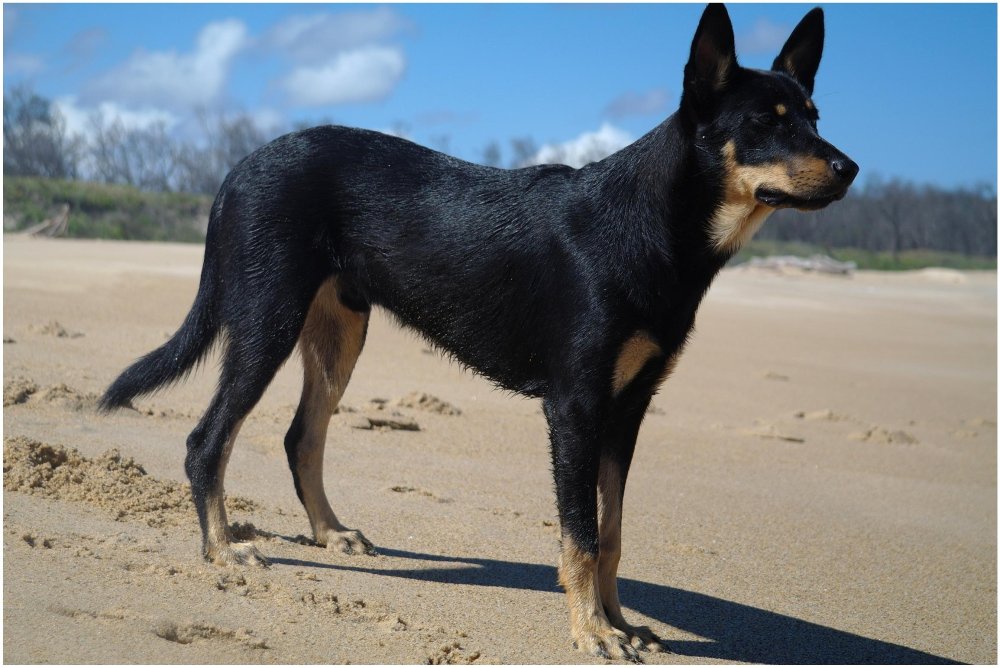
(112, 482)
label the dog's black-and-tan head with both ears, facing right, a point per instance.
(760, 125)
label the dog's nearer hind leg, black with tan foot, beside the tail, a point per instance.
(259, 340)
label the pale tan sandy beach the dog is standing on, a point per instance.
(815, 483)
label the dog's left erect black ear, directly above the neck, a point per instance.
(712, 62)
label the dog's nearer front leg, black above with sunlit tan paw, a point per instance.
(574, 427)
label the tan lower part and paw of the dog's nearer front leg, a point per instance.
(591, 630)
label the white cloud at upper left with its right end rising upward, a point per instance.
(175, 80)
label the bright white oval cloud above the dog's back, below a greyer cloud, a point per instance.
(361, 75)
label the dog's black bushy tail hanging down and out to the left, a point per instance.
(176, 358)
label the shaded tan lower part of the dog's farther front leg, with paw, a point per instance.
(609, 517)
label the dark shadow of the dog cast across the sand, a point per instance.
(732, 631)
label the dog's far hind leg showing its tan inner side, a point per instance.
(330, 343)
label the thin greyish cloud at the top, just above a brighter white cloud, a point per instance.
(311, 39)
